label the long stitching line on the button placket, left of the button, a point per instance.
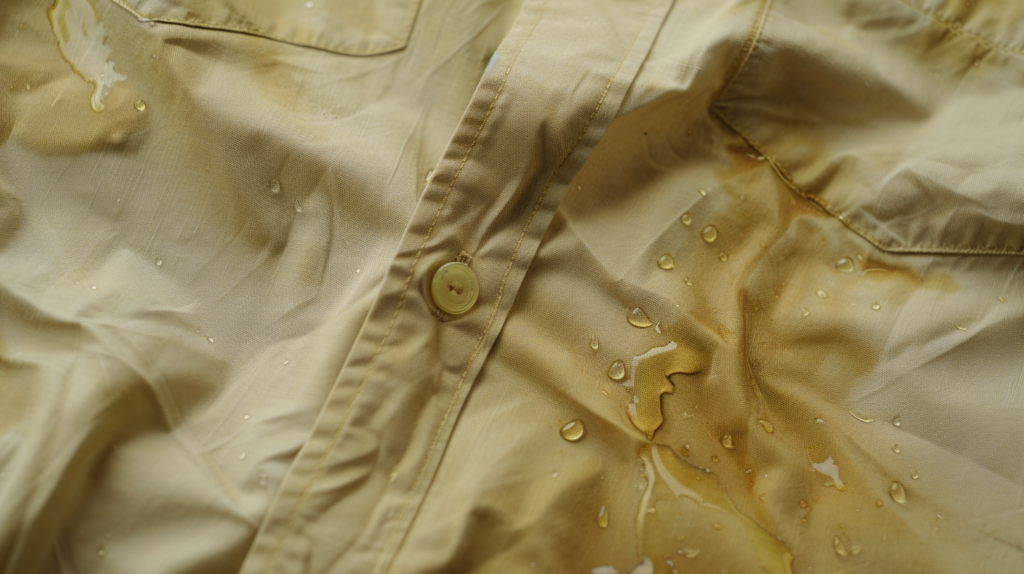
(337, 434)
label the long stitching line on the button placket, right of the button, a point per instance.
(501, 289)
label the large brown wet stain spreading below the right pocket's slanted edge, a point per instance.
(779, 366)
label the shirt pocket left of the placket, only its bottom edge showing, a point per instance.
(359, 28)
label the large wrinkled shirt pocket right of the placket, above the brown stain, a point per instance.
(906, 123)
